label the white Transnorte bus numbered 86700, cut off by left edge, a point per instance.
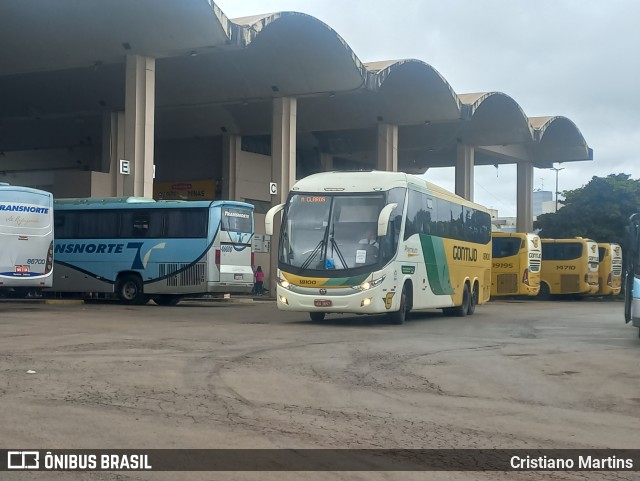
(26, 239)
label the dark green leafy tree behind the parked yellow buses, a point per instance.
(599, 210)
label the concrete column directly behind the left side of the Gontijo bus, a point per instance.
(283, 166)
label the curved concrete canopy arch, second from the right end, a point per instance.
(494, 118)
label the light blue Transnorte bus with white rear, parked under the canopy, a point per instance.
(140, 249)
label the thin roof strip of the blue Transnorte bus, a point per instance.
(140, 203)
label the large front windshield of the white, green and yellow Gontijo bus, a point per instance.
(332, 232)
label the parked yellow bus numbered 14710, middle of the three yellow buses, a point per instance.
(569, 266)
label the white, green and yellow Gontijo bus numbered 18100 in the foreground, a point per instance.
(380, 242)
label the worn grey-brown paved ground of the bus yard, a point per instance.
(218, 375)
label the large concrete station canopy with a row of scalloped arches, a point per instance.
(215, 75)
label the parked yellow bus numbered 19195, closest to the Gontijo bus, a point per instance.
(516, 260)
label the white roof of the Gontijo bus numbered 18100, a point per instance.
(372, 181)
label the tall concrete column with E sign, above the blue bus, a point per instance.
(139, 124)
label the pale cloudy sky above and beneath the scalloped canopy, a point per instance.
(573, 58)
